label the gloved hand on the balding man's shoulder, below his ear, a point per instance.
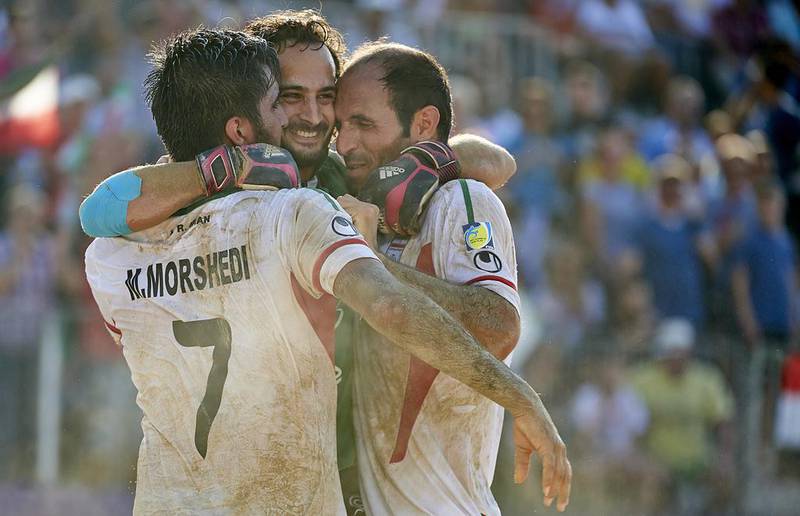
(402, 188)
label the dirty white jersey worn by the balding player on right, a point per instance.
(427, 444)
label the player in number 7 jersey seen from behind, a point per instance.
(217, 307)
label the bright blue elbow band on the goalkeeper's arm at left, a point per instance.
(105, 212)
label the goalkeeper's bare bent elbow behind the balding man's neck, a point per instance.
(483, 160)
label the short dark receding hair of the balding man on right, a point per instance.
(413, 78)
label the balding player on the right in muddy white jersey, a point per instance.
(426, 444)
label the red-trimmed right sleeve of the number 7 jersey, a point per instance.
(321, 241)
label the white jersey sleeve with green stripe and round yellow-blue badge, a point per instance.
(479, 246)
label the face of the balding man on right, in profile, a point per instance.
(370, 134)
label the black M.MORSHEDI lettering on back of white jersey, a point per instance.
(187, 275)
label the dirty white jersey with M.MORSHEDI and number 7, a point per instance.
(225, 317)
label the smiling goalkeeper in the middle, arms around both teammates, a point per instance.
(311, 54)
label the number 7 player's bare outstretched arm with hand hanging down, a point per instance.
(421, 327)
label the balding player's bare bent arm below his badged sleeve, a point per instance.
(487, 316)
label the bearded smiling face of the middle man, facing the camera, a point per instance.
(308, 91)
